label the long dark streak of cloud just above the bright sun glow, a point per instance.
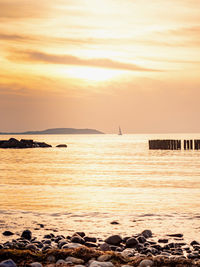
(40, 57)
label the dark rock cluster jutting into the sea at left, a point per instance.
(23, 143)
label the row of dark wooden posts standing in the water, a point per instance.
(168, 144)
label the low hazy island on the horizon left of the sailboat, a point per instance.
(56, 131)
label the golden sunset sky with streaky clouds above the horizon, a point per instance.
(100, 64)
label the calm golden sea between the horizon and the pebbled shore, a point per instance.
(101, 185)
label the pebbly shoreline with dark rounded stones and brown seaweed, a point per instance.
(115, 250)
